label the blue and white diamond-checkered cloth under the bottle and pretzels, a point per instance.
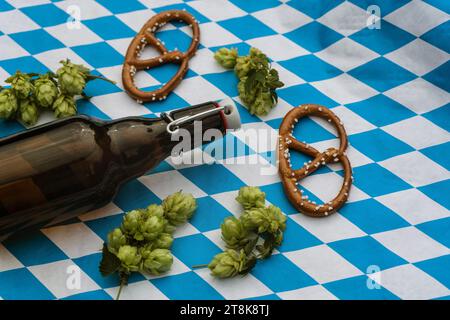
(390, 86)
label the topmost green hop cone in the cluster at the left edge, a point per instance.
(71, 78)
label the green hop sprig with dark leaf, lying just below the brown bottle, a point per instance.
(142, 242)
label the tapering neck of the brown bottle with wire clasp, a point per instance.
(140, 144)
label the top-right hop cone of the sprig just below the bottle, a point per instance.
(179, 207)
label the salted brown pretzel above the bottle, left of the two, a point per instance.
(145, 37)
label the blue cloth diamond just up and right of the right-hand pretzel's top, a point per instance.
(380, 110)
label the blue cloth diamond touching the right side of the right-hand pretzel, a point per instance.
(376, 180)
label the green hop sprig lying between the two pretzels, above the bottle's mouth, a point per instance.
(258, 81)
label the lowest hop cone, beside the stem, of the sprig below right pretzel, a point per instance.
(228, 263)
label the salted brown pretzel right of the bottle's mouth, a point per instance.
(290, 176)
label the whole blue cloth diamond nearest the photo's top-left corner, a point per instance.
(46, 15)
